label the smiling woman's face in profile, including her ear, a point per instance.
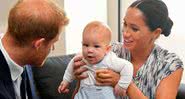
(136, 34)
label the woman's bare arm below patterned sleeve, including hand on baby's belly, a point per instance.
(167, 88)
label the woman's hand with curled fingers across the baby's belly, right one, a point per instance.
(106, 77)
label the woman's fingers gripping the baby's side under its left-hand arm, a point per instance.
(76, 67)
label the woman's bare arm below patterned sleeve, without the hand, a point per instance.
(167, 88)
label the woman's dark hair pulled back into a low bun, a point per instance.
(156, 15)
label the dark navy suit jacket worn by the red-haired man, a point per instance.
(6, 83)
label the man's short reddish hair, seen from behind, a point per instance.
(30, 20)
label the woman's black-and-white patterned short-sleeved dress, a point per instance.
(159, 65)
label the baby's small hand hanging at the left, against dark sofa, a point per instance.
(63, 87)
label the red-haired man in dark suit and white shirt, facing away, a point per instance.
(33, 28)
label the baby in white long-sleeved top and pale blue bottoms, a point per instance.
(96, 50)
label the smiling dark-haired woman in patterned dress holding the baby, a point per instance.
(157, 73)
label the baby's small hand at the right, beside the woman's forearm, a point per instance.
(119, 91)
